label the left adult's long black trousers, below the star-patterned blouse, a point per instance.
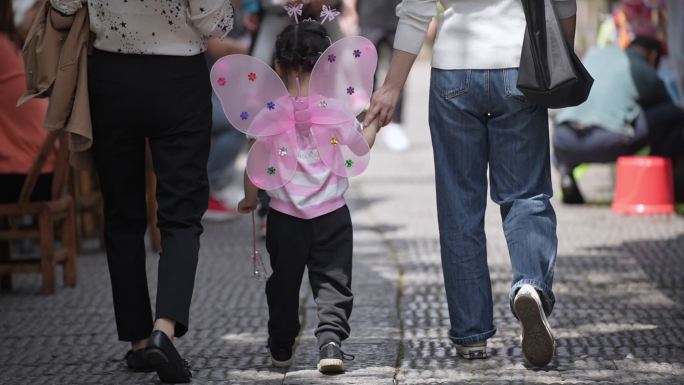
(166, 99)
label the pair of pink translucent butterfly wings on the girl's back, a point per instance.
(257, 103)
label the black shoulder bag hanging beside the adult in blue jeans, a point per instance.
(550, 73)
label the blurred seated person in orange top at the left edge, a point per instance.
(21, 128)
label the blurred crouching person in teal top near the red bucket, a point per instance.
(629, 108)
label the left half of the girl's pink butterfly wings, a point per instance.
(257, 103)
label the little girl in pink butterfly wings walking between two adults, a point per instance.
(308, 225)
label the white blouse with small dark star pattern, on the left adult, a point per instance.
(154, 27)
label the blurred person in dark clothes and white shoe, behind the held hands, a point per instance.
(377, 21)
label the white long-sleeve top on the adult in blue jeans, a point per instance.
(472, 34)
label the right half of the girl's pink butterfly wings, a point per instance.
(340, 88)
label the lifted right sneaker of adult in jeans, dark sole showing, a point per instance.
(537, 341)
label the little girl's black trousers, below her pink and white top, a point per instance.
(323, 245)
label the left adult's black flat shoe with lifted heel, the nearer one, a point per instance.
(163, 356)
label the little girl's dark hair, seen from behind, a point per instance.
(299, 46)
